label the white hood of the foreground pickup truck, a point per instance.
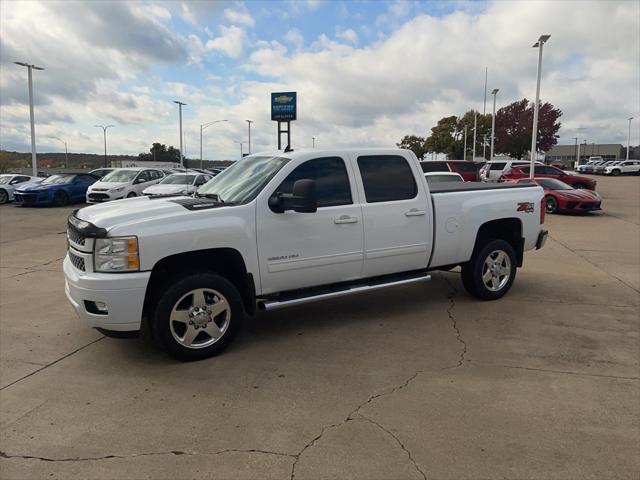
(130, 211)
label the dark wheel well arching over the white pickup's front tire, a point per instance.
(227, 262)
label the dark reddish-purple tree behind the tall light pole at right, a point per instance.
(514, 123)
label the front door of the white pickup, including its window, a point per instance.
(298, 250)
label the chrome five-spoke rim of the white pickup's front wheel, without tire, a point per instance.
(200, 318)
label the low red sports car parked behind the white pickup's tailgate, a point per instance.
(561, 197)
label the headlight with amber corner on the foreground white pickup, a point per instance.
(117, 254)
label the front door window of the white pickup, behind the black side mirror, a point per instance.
(330, 175)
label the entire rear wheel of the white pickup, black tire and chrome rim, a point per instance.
(491, 271)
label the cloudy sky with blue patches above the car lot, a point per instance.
(366, 73)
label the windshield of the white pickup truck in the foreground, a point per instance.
(241, 182)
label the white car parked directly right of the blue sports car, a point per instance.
(123, 183)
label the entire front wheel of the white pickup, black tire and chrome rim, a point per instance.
(197, 316)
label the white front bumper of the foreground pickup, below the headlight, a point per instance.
(122, 293)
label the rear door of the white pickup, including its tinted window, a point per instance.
(397, 217)
